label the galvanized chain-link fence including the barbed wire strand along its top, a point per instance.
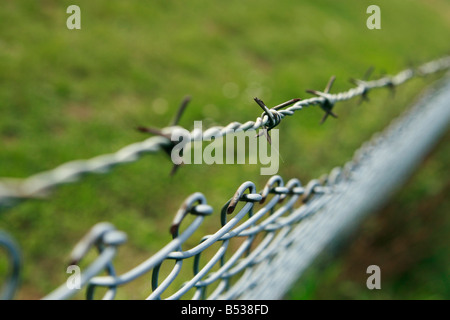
(283, 227)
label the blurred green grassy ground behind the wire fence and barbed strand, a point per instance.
(74, 94)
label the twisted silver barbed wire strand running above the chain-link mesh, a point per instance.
(38, 185)
